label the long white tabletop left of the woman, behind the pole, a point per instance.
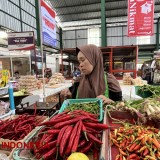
(51, 91)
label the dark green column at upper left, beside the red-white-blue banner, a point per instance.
(37, 22)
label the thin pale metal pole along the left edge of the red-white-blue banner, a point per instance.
(41, 49)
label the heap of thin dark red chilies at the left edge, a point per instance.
(18, 128)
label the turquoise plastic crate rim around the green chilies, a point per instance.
(67, 102)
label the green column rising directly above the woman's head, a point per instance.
(103, 24)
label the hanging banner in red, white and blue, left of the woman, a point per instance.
(48, 25)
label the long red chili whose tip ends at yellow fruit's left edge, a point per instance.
(72, 138)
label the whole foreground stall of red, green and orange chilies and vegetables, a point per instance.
(124, 130)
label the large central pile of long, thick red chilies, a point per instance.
(69, 132)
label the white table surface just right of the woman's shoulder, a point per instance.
(128, 91)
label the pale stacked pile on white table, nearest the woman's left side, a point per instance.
(56, 79)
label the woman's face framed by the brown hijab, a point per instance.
(84, 65)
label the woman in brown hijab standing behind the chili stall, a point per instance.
(94, 82)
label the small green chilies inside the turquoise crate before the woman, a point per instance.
(91, 107)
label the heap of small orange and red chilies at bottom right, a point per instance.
(136, 142)
